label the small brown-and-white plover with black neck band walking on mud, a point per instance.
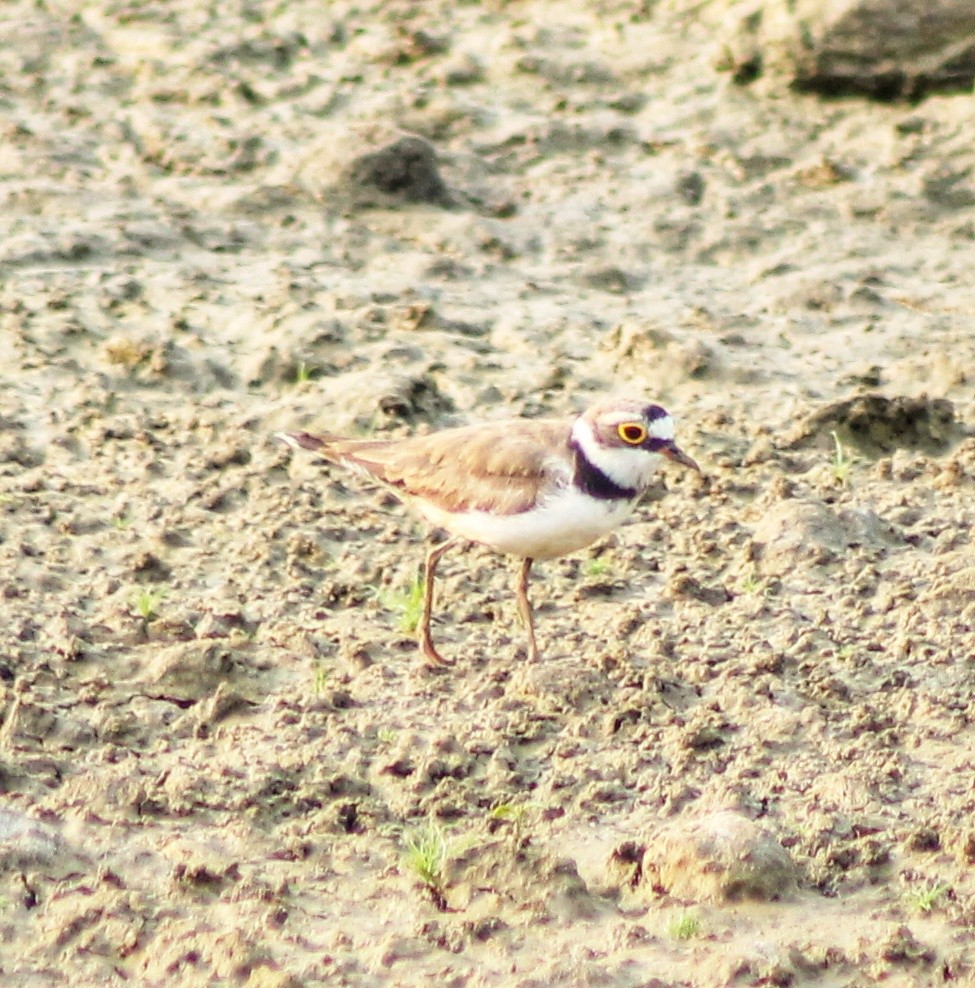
(535, 489)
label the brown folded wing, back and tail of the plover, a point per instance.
(500, 467)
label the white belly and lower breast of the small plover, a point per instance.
(567, 521)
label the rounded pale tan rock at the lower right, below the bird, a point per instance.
(720, 857)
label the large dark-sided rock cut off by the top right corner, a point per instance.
(885, 49)
